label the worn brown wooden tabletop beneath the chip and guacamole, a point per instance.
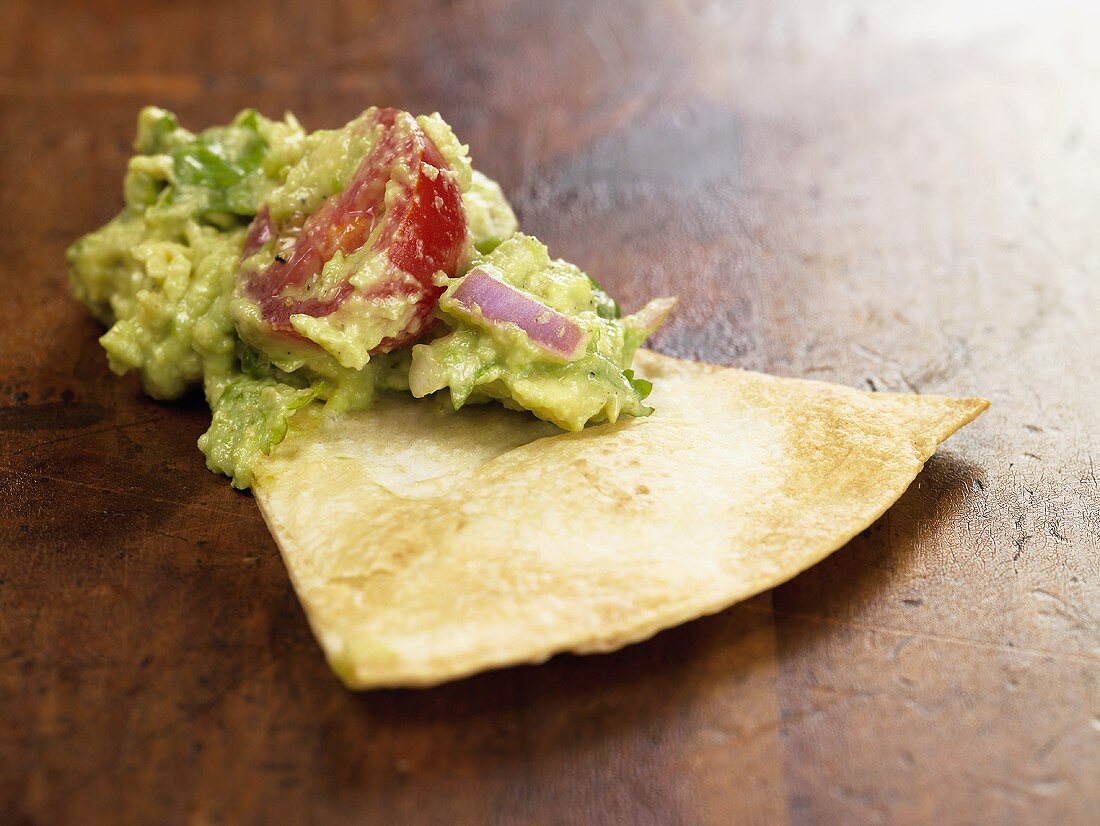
(892, 195)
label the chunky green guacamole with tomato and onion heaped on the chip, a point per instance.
(280, 269)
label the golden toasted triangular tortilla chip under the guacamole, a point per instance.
(428, 546)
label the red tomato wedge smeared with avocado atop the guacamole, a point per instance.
(422, 233)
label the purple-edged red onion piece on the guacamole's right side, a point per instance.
(482, 294)
